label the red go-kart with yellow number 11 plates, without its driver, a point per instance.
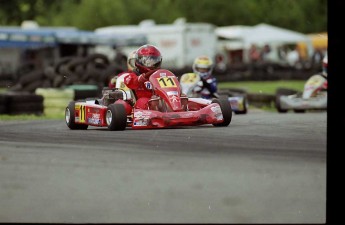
(168, 107)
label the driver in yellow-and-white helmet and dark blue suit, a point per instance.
(203, 67)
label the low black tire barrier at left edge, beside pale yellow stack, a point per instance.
(15, 103)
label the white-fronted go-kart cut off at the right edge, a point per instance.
(313, 97)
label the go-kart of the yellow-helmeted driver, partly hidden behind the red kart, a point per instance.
(189, 81)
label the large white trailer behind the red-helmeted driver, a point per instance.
(180, 43)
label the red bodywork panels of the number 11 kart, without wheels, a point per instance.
(166, 108)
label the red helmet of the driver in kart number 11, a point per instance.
(148, 58)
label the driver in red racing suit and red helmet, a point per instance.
(147, 60)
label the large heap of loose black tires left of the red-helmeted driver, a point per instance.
(94, 69)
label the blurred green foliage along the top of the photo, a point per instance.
(306, 16)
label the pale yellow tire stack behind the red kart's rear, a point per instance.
(55, 100)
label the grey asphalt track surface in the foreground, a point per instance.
(265, 167)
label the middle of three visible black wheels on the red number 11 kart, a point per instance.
(116, 117)
